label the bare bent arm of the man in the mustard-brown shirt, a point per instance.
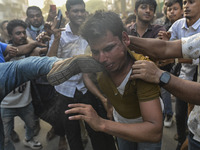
(150, 130)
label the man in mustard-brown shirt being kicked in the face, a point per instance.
(137, 110)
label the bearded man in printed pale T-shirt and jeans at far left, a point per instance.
(18, 102)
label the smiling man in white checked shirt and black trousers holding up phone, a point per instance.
(67, 45)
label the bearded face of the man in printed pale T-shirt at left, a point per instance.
(19, 36)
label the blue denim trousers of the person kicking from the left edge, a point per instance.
(13, 74)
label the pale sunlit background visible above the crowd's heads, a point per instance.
(16, 9)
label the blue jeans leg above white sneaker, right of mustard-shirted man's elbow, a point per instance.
(166, 97)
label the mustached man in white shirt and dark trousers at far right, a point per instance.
(185, 27)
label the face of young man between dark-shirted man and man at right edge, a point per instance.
(174, 12)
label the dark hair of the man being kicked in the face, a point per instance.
(99, 23)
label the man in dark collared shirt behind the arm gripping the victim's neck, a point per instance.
(145, 10)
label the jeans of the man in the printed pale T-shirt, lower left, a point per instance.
(26, 114)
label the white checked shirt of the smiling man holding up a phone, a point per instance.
(71, 45)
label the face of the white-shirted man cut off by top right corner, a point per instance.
(191, 9)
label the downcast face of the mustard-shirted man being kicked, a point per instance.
(110, 51)
